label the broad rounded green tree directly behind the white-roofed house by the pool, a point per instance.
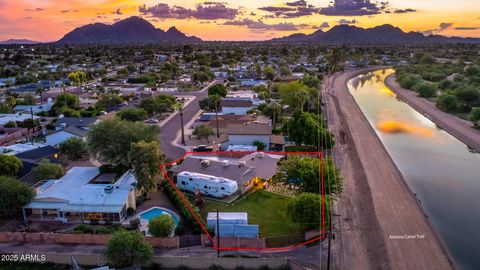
(110, 141)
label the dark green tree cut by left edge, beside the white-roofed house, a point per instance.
(15, 195)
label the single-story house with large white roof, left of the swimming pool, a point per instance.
(79, 197)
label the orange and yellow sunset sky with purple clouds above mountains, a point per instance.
(49, 20)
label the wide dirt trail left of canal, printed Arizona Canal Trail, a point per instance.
(376, 207)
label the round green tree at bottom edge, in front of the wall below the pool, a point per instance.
(128, 248)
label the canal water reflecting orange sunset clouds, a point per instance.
(441, 170)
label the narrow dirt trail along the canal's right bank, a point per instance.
(459, 128)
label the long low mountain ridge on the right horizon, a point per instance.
(383, 34)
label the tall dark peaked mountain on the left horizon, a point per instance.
(130, 30)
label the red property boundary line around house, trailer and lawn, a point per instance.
(322, 235)
